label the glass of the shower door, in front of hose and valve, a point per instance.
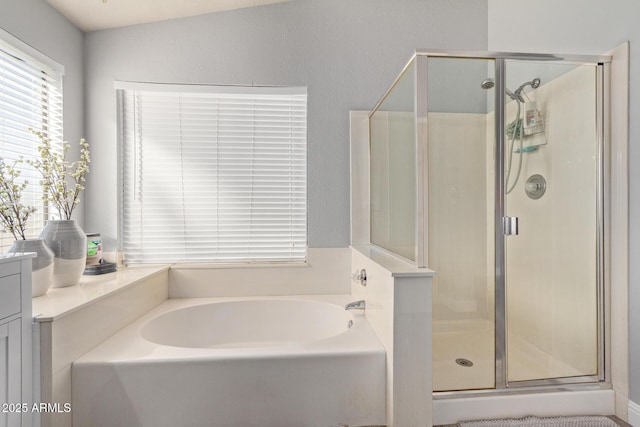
(552, 264)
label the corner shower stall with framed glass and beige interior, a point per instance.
(490, 169)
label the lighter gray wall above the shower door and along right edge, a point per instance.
(588, 27)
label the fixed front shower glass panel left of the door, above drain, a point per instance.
(461, 222)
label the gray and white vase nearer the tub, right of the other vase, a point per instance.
(69, 245)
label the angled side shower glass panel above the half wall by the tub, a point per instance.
(393, 165)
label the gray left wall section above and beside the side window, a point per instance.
(43, 28)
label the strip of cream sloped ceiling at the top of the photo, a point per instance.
(91, 15)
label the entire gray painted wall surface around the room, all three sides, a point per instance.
(346, 51)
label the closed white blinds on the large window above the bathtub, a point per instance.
(213, 174)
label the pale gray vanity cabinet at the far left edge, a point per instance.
(15, 340)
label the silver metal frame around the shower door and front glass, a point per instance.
(602, 64)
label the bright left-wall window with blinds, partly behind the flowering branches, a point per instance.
(30, 97)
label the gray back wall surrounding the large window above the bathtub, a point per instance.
(346, 51)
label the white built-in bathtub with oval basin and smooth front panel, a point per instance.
(269, 361)
